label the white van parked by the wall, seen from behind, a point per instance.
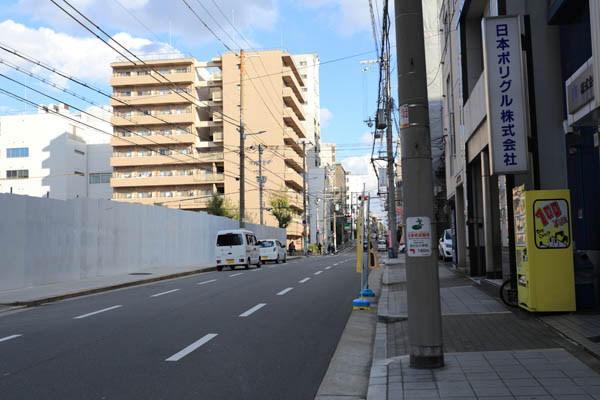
(237, 247)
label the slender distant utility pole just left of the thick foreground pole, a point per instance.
(391, 195)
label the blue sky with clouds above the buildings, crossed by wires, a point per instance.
(332, 28)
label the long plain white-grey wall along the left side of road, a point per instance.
(47, 240)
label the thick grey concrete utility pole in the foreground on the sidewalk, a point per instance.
(422, 281)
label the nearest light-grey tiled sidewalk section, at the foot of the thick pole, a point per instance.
(537, 374)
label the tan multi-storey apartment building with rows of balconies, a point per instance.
(178, 120)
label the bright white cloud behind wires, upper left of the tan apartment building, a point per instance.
(85, 58)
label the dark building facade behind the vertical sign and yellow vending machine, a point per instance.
(480, 201)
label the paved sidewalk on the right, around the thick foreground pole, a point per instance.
(490, 351)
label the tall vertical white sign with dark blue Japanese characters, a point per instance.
(505, 95)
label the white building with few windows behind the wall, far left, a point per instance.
(56, 153)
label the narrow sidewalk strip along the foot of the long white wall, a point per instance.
(36, 295)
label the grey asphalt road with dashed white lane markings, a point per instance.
(264, 333)
